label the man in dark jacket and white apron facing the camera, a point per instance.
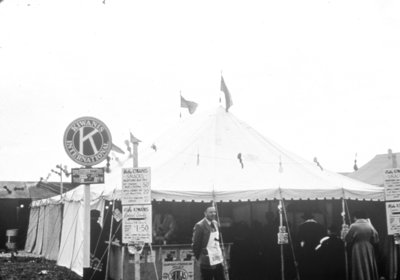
(206, 246)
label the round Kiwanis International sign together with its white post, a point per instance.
(87, 142)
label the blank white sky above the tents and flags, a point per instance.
(321, 78)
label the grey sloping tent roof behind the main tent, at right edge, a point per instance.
(372, 172)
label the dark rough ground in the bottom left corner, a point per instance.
(24, 266)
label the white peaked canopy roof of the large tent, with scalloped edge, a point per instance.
(215, 155)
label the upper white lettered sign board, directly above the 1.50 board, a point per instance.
(136, 186)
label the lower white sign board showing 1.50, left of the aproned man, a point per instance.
(136, 224)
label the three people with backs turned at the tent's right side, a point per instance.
(324, 257)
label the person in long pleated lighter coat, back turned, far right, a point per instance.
(360, 239)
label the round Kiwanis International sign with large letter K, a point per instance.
(87, 141)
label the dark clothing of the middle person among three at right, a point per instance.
(331, 258)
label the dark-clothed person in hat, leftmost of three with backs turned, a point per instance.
(309, 235)
